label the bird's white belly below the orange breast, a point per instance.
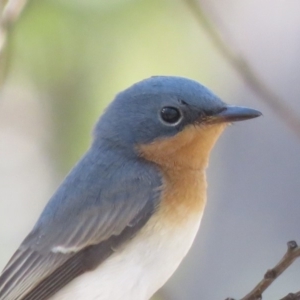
(140, 268)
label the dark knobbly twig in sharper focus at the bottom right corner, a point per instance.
(293, 252)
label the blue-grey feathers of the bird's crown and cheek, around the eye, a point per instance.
(133, 117)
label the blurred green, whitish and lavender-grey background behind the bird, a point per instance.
(65, 60)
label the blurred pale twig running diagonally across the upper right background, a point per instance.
(241, 65)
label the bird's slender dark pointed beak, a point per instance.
(233, 114)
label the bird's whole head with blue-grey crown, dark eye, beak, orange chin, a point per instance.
(172, 121)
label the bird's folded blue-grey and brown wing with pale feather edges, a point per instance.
(56, 251)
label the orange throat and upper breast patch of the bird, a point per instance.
(183, 160)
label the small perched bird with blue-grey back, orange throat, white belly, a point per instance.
(126, 215)
